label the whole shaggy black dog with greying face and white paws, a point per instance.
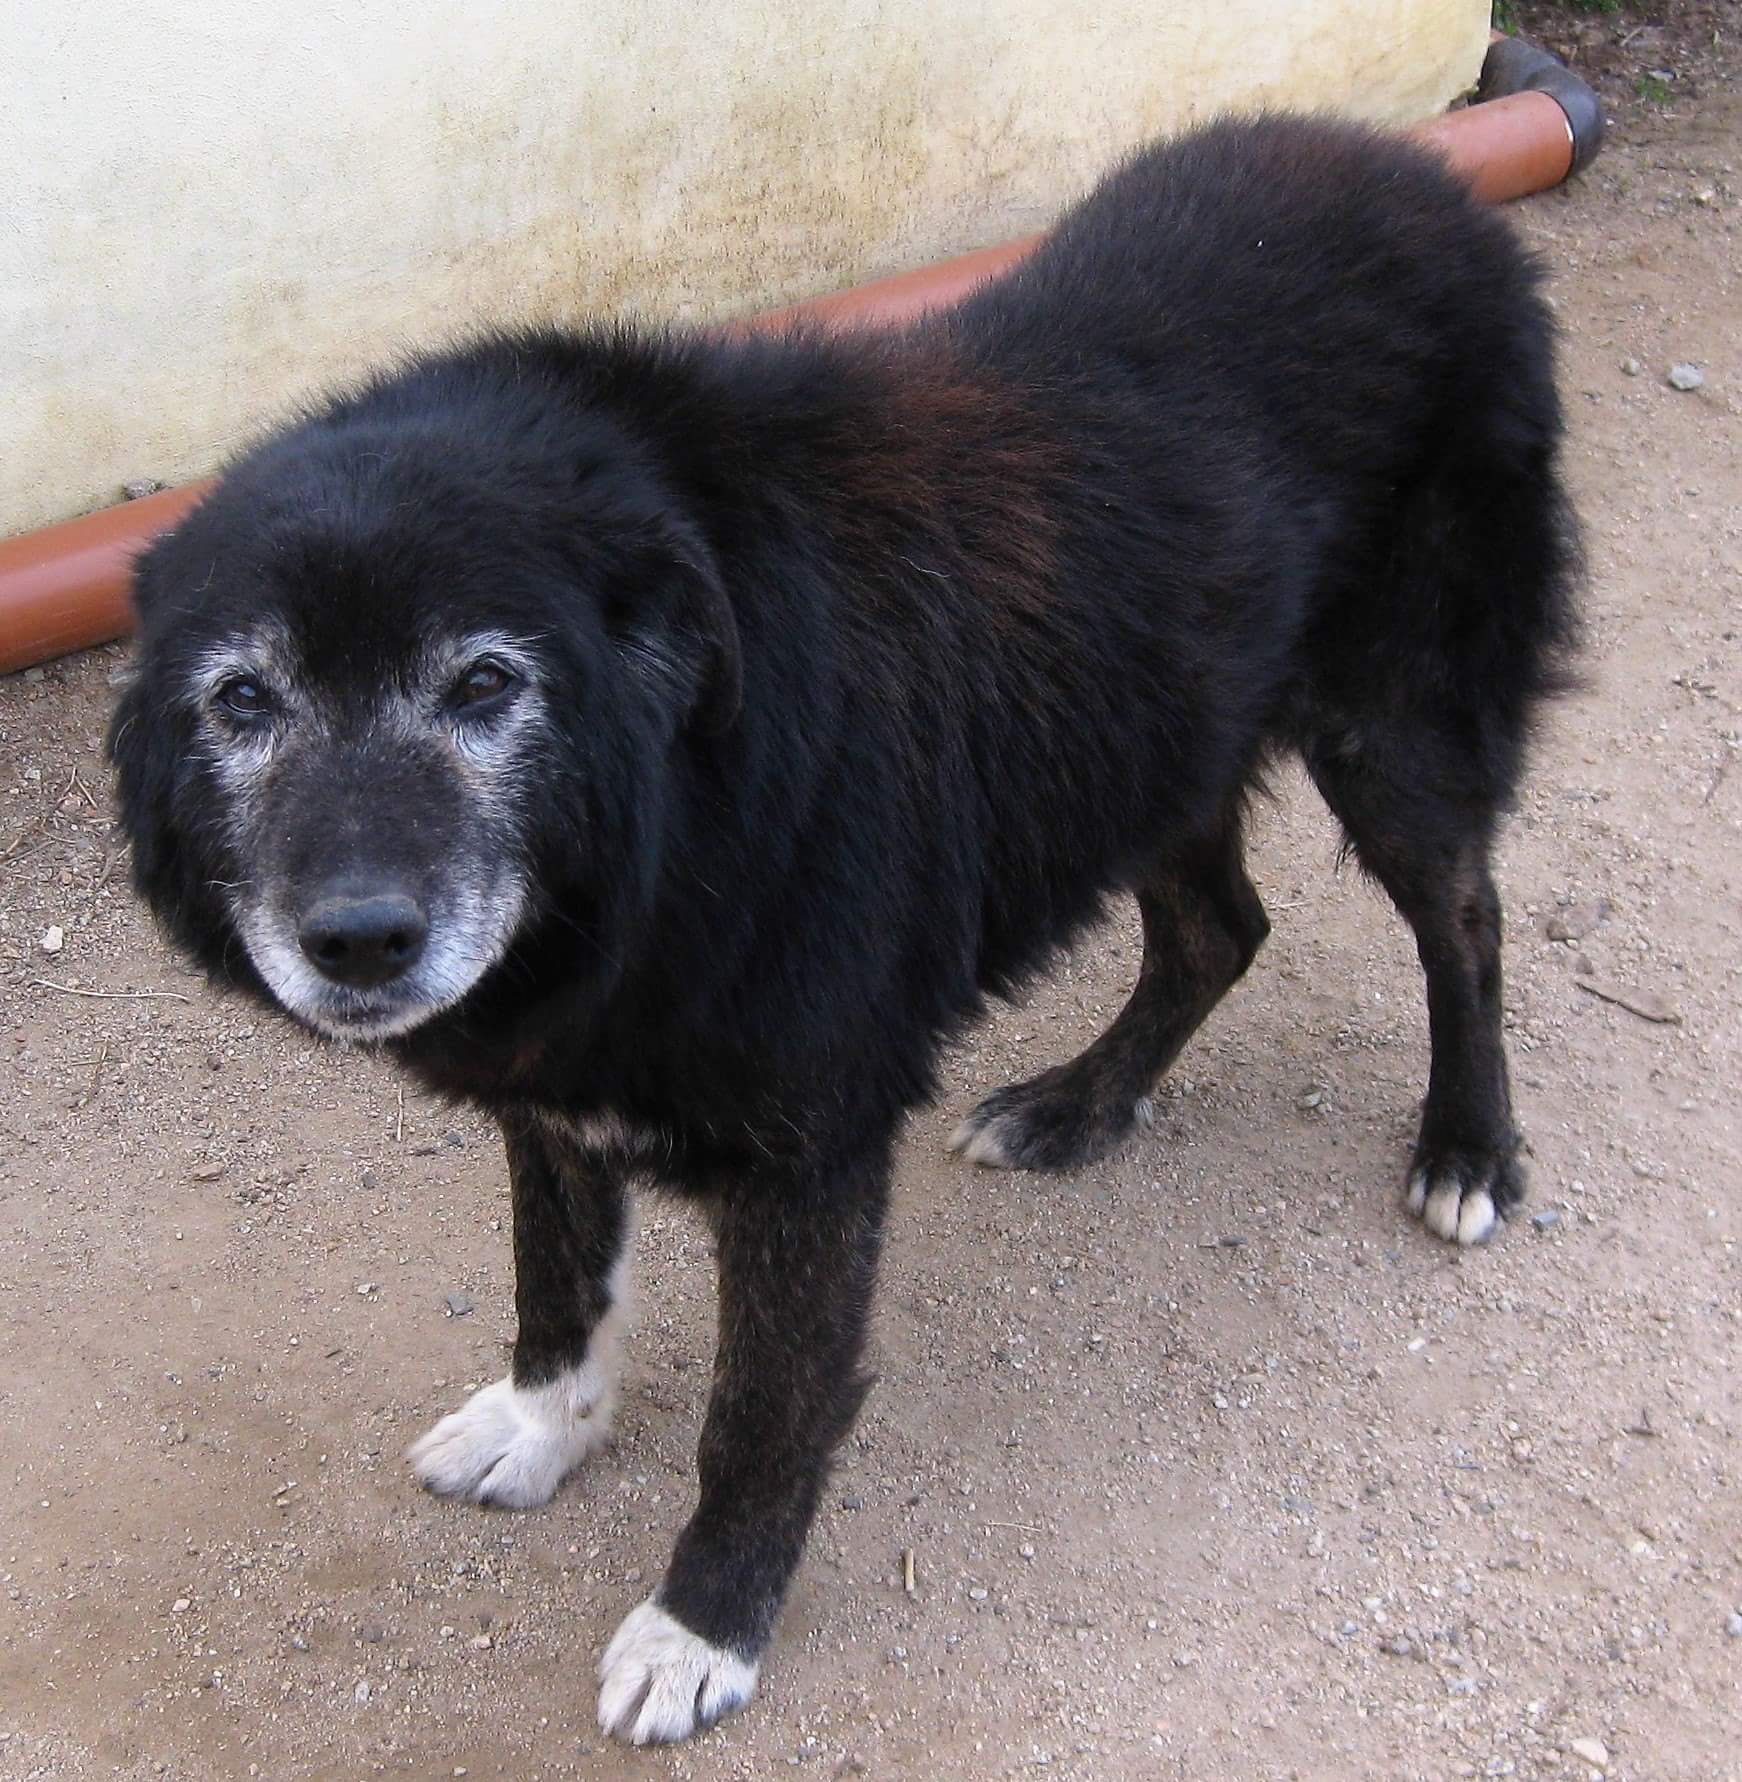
(669, 742)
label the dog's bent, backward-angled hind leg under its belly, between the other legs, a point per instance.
(1203, 926)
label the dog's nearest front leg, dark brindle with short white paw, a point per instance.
(797, 1268)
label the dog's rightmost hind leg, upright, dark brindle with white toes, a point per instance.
(1420, 819)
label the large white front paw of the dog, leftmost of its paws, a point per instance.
(514, 1446)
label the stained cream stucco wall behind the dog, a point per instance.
(211, 206)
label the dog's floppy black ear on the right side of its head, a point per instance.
(674, 596)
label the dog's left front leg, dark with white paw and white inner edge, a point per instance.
(516, 1441)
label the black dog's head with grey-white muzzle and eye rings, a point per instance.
(409, 687)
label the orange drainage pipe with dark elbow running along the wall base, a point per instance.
(67, 587)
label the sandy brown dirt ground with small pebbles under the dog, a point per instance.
(1209, 1460)
